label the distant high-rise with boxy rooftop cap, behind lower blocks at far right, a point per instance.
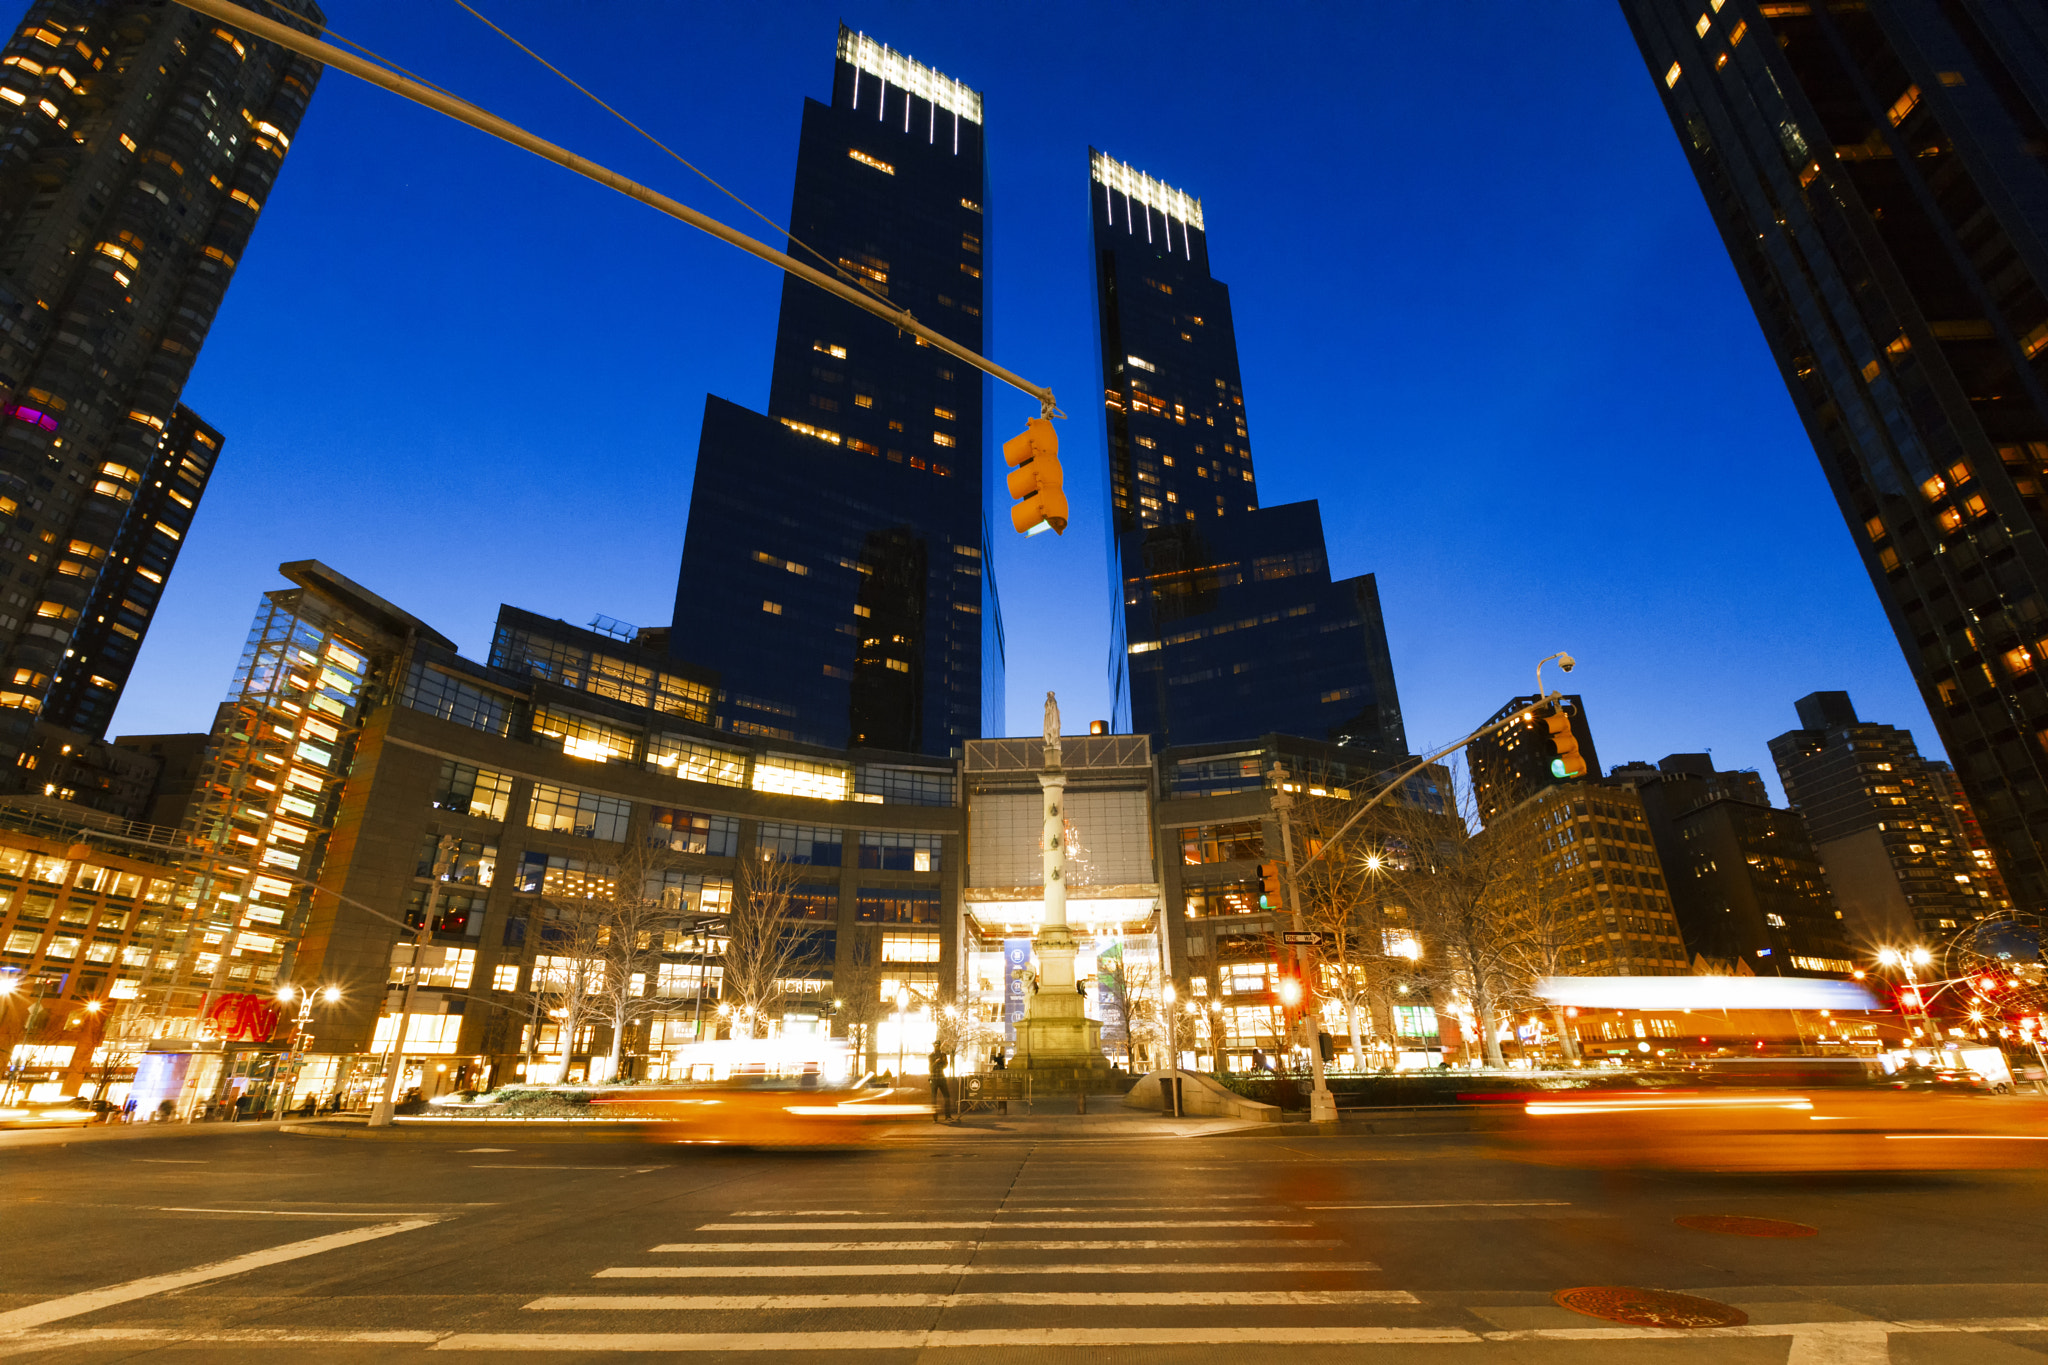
(1887, 828)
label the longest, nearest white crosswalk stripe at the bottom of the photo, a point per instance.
(1273, 1335)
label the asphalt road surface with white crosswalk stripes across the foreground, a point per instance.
(234, 1245)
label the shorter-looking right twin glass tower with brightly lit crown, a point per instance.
(1226, 619)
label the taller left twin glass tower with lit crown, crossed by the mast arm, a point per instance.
(835, 572)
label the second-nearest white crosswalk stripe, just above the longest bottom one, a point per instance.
(771, 1303)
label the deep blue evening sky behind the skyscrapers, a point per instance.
(1484, 316)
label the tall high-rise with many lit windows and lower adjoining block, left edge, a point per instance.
(138, 144)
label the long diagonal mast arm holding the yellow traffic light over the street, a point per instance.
(464, 112)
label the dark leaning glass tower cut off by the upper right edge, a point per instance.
(1879, 173)
